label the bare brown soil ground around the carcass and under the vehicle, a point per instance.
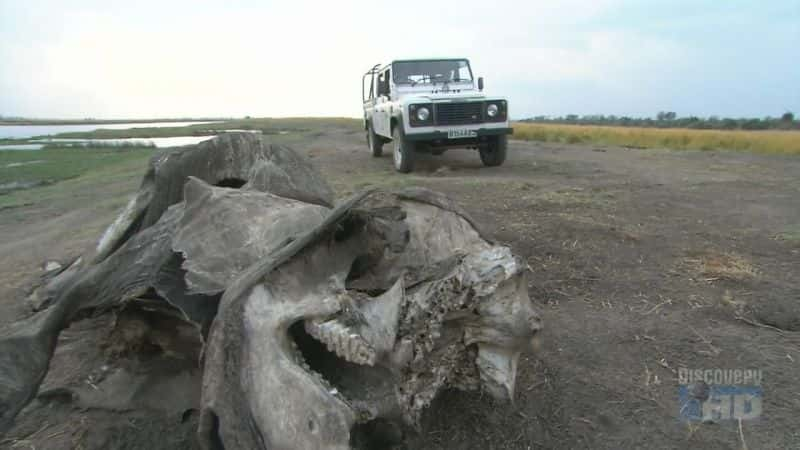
(642, 262)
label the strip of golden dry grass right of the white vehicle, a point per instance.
(780, 142)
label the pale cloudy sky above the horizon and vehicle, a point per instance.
(143, 59)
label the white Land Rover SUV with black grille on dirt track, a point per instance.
(432, 105)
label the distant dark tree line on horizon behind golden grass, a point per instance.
(669, 119)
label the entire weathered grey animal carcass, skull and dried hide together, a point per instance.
(329, 317)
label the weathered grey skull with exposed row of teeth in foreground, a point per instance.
(456, 314)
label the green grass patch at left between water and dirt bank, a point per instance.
(32, 169)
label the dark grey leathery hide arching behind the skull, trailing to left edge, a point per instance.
(135, 254)
